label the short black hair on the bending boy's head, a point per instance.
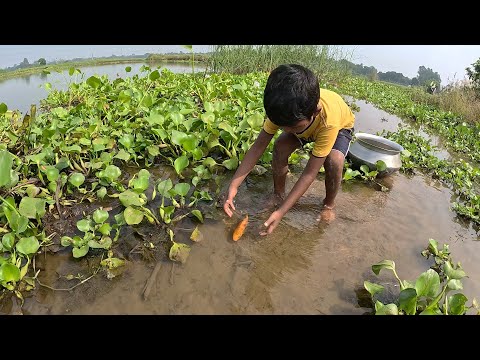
(291, 94)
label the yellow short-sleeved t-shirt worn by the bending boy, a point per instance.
(335, 115)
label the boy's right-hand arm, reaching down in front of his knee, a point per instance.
(303, 183)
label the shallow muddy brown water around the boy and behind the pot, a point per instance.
(304, 267)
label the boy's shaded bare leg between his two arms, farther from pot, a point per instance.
(284, 145)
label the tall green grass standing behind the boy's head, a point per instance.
(323, 60)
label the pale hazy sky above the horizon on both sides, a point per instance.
(449, 61)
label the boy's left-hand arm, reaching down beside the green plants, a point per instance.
(249, 160)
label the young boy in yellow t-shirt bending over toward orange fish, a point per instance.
(294, 103)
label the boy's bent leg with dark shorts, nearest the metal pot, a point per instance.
(334, 172)
